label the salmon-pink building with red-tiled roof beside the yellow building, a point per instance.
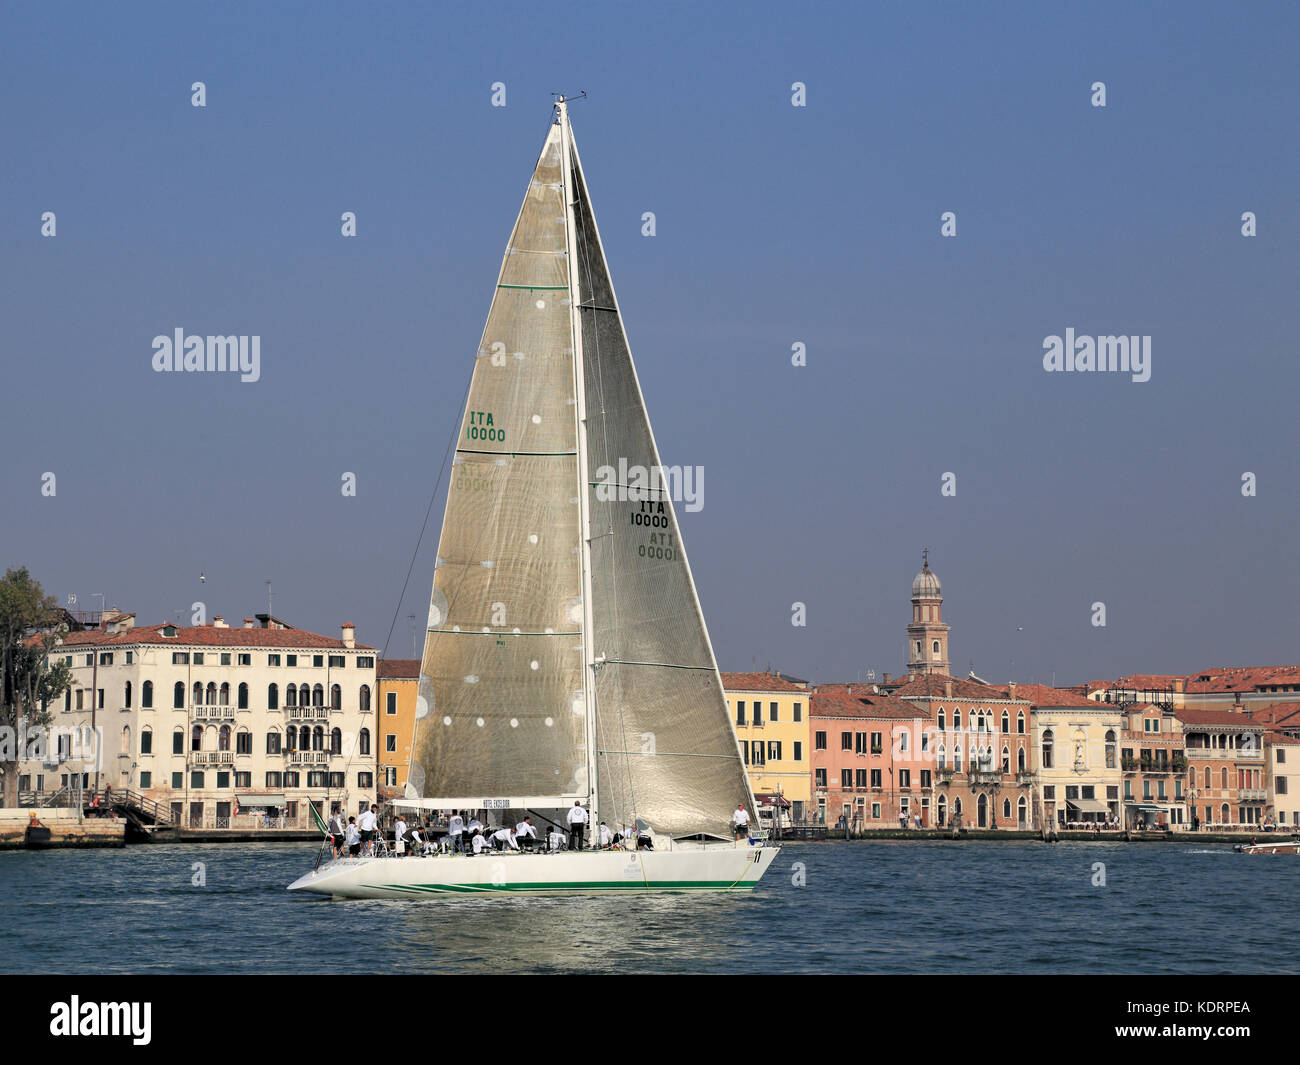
(873, 767)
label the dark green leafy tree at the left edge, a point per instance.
(31, 626)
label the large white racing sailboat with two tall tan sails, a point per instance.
(566, 657)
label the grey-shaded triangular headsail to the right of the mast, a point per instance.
(666, 748)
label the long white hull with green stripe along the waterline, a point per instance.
(709, 868)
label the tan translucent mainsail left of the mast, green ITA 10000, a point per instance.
(501, 683)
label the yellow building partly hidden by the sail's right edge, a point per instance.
(770, 713)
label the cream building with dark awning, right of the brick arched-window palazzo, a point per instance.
(1077, 754)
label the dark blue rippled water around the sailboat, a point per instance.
(865, 908)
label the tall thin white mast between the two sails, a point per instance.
(590, 664)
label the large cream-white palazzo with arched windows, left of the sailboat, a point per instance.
(220, 726)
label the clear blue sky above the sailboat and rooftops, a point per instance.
(775, 224)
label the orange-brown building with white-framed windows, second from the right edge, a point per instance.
(1227, 769)
